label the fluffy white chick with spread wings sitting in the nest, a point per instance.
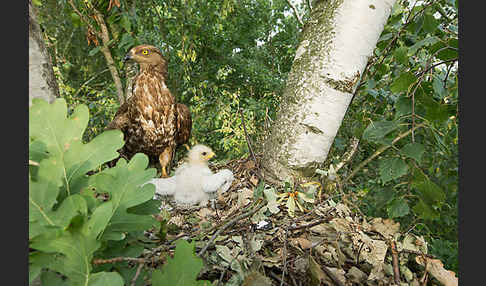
(193, 181)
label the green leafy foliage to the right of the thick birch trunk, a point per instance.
(413, 73)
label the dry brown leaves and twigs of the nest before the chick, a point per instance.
(328, 245)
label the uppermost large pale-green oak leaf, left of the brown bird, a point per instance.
(62, 138)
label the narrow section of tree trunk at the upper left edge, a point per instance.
(42, 82)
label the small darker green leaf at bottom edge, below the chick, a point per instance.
(182, 270)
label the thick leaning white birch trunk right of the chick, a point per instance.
(335, 45)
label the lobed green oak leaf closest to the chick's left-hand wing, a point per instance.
(123, 184)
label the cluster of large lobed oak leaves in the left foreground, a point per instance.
(67, 225)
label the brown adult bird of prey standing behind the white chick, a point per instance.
(150, 119)
